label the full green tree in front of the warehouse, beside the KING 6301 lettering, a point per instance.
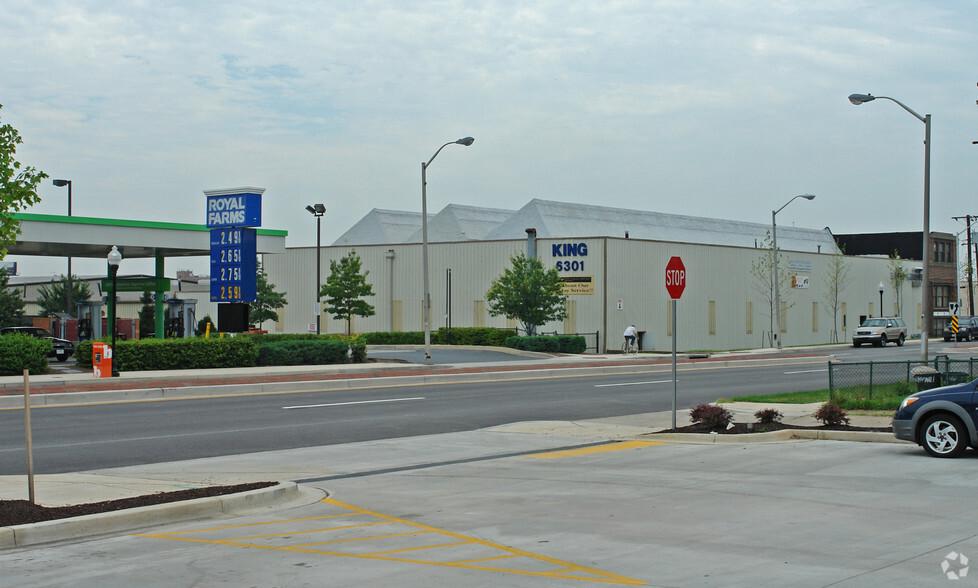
(527, 293)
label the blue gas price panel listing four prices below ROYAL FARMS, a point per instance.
(234, 265)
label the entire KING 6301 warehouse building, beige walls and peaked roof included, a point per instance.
(613, 263)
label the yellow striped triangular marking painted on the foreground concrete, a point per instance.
(352, 537)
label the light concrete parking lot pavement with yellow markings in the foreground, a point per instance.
(497, 508)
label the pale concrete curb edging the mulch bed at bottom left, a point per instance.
(134, 518)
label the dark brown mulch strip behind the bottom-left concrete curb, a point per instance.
(22, 512)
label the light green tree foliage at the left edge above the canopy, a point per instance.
(18, 187)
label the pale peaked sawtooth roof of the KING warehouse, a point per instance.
(562, 220)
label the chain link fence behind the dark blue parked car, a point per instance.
(885, 379)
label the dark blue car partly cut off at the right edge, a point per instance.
(941, 420)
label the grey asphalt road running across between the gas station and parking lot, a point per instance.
(67, 439)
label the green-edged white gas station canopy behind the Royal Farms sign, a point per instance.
(80, 236)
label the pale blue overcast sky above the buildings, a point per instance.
(714, 108)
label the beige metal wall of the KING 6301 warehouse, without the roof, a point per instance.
(721, 309)
